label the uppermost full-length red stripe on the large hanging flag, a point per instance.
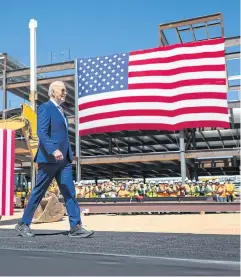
(164, 99)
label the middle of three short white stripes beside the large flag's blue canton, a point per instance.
(176, 64)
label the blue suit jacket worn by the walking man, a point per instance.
(52, 133)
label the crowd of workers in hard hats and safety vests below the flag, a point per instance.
(222, 191)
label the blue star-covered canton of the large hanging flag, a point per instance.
(102, 74)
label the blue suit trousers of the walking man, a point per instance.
(62, 171)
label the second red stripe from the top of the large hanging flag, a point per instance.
(181, 57)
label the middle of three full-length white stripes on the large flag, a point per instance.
(154, 106)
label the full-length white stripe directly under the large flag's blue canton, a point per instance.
(153, 92)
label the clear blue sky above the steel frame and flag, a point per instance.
(93, 28)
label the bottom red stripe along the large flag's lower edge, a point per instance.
(179, 126)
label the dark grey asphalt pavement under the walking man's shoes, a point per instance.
(119, 254)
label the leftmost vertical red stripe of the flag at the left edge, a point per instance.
(4, 171)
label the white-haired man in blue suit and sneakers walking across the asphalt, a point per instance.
(54, 158)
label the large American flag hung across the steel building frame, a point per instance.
(163, 88)
